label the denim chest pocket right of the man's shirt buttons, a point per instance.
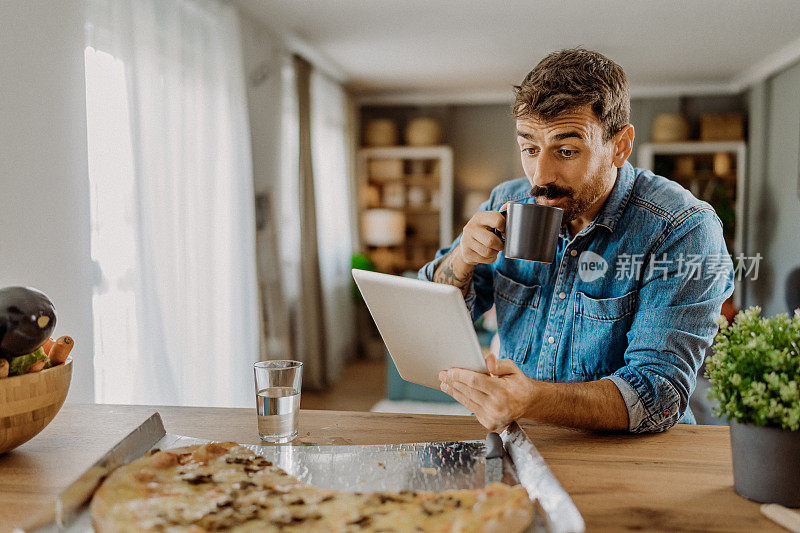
(600, 333)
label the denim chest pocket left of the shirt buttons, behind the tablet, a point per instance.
(516, 305)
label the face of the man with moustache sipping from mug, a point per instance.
(566, 160)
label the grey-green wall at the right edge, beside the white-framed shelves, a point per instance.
(774, 206)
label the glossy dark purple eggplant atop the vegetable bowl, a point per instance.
(27, 319)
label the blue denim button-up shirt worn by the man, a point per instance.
(631, 298)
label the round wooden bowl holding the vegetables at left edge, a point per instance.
(29, 402)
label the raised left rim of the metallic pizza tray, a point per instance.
(64, 509)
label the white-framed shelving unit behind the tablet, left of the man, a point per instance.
(421, 190)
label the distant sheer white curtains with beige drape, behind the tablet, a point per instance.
(333, 210)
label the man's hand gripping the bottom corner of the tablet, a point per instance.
(497, 398)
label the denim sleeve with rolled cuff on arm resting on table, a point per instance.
(674, 324)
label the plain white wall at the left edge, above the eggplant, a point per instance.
(44, 215)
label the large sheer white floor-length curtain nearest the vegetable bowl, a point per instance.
(176, 316)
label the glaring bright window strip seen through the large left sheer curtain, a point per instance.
(113, 242)
